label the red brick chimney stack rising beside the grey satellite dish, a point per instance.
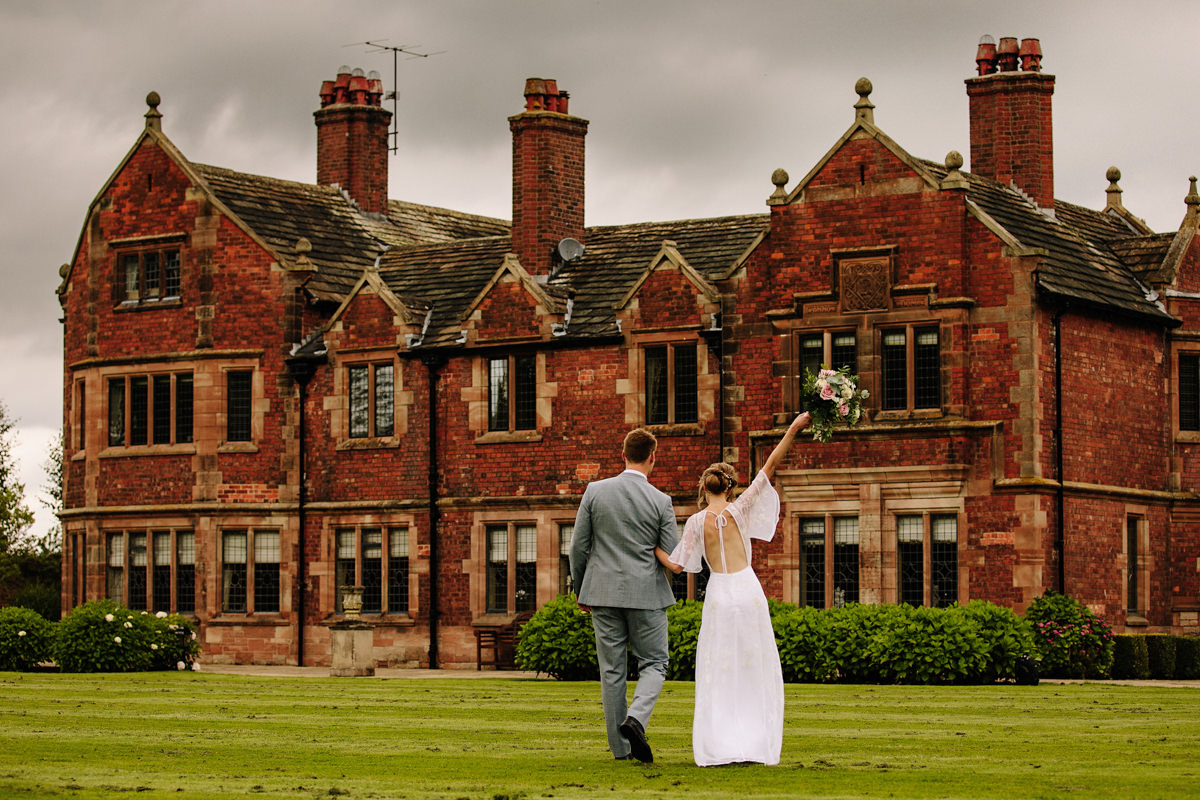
(548, 176)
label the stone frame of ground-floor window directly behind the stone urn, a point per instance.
(388, 526)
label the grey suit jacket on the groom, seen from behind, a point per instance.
(620, 524)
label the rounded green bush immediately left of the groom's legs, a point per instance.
(560, 642)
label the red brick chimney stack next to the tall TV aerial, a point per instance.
(352, 139)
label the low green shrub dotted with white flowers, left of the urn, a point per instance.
(103, 636)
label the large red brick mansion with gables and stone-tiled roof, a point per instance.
(275, 389)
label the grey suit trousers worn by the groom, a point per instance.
(620, 631)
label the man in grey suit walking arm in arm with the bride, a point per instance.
(619, 579)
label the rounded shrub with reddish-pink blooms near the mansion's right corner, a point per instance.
(1071, 640)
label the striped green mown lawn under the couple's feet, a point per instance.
(189, 736)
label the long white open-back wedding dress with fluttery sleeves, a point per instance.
(740, 685)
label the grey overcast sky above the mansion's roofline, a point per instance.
(692, 104)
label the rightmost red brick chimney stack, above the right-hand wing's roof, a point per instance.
(1012, 131)
